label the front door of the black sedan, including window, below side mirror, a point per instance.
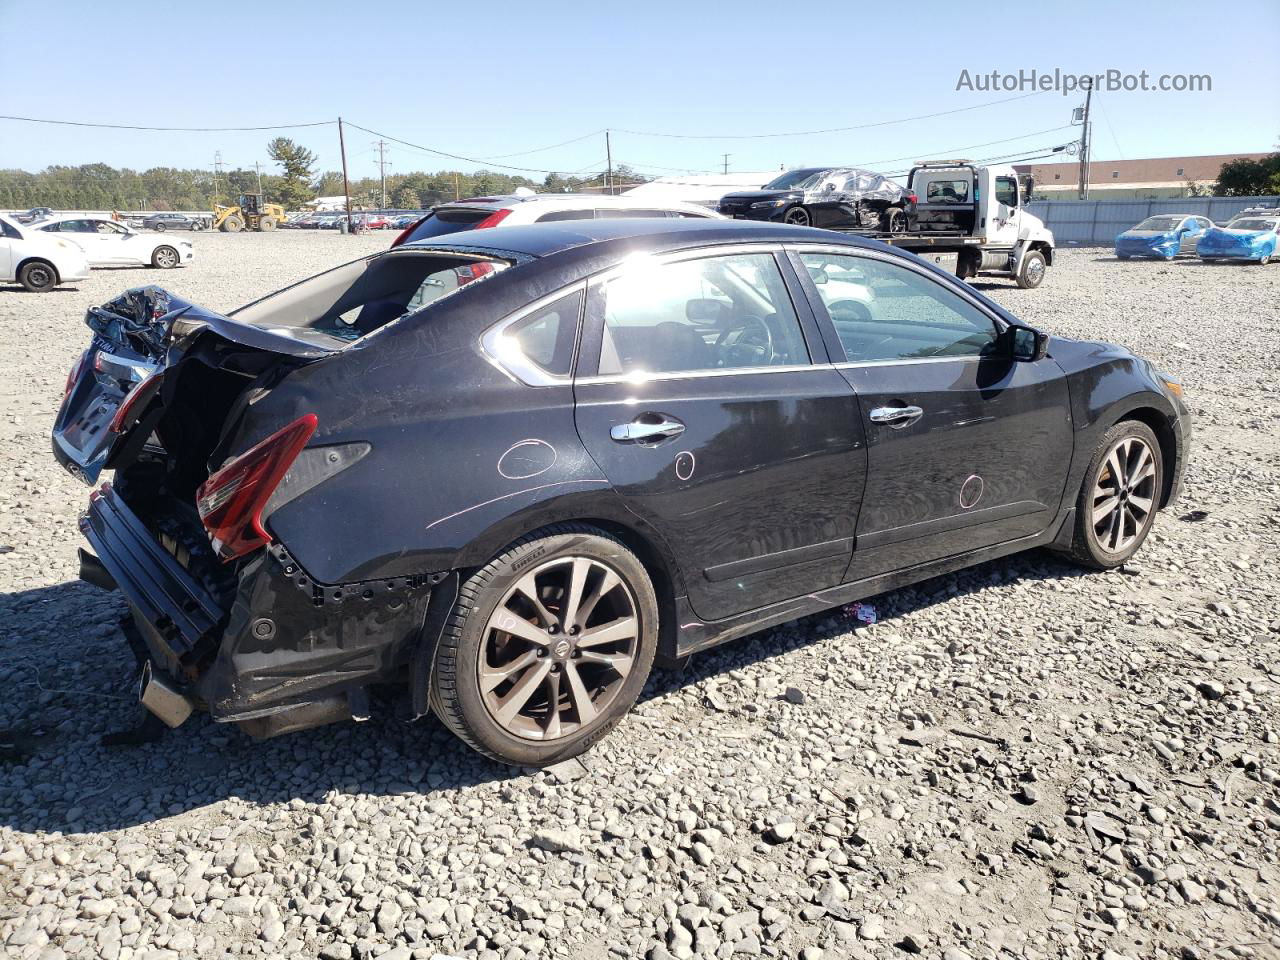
(967, 447)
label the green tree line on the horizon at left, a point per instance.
(102, 188)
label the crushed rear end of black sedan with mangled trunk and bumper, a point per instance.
(228, 620)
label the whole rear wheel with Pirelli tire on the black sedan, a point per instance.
(547, 648)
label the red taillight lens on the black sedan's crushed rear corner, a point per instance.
(231, 502)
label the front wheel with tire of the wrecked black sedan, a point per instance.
(1121, 496)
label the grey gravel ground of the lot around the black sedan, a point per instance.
(1021, 761)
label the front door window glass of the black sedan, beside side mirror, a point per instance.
(885, 312)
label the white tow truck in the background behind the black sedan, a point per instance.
(973, 221)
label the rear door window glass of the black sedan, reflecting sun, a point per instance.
(726, 313)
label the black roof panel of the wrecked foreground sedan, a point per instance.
(656, 234)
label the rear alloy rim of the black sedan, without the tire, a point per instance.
(559, 648)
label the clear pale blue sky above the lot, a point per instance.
(501, 83)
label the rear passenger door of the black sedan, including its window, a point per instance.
(698, 397)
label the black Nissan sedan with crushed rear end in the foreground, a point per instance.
(514, 470)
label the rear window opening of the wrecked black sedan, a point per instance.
(355, 300)
